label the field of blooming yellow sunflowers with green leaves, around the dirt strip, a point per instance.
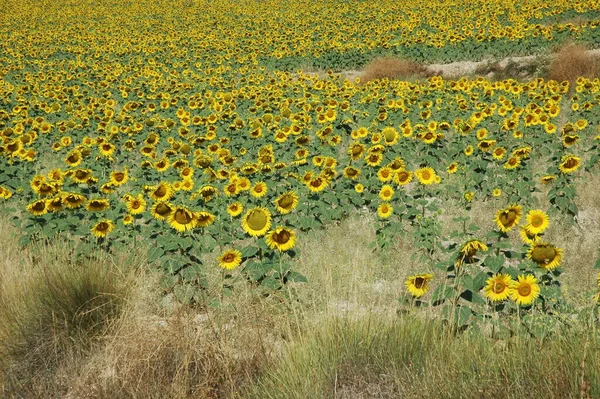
(189, 127)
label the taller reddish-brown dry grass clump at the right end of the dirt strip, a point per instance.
(571, 62)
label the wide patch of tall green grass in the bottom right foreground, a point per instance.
(416, 358)
